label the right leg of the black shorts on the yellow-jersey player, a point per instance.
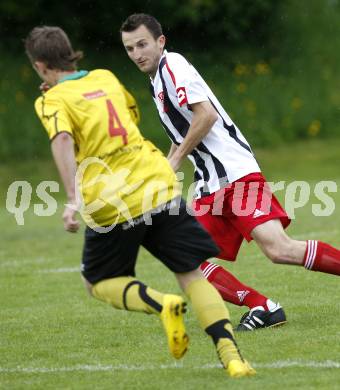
(179, 241)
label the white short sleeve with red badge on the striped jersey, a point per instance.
(188, 83)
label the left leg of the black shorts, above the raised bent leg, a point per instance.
(111, 254)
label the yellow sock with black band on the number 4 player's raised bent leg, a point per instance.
(128, 293)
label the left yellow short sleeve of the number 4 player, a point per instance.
(53, 116)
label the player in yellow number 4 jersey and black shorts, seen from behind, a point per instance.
(129, 198)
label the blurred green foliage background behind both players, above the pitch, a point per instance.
(277, 89)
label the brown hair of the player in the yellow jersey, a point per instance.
(52, 46)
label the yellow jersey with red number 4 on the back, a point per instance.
(120, 174)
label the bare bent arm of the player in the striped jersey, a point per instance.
(203, 119)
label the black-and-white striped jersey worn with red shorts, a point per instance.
(223, 155)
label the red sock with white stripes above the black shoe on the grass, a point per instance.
(231, 289)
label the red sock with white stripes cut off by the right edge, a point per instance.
(322, 257)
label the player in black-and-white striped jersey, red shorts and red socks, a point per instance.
(233, 200)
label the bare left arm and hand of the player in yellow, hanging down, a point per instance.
(64, 157)
